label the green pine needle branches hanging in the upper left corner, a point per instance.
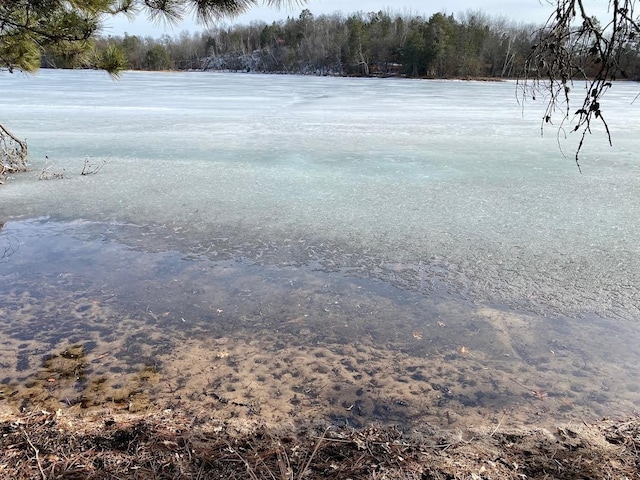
(67, 28)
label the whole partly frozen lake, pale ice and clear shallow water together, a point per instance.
(426, 219)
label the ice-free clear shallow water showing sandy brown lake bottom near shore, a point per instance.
(119, 316)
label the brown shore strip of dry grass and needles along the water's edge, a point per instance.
(45, 445)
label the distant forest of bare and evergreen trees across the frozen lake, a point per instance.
(469, 45)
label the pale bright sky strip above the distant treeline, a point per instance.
(527, 11)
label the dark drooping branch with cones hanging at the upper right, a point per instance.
(573, 46)
